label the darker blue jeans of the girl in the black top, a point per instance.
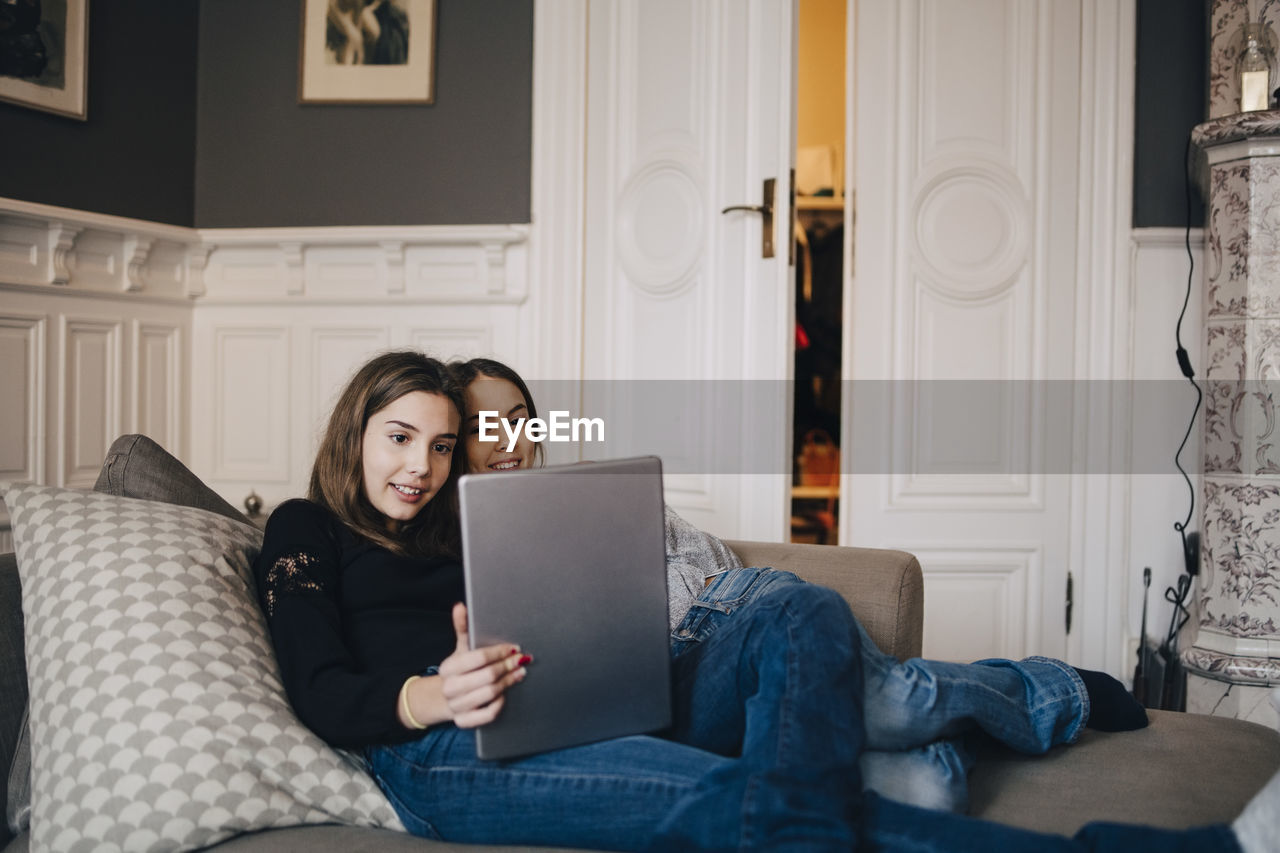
(764, 756)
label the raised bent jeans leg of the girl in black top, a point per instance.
(772, 676)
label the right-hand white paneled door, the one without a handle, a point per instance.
(988, 295)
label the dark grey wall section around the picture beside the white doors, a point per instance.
(263, 159)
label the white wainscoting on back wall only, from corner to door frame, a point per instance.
(287, 316)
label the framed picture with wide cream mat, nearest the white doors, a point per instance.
(368, 52)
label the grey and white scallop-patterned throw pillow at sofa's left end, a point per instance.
(158, 717)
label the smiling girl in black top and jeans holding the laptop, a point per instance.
(362, 587)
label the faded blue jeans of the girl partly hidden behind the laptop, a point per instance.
(916, 711)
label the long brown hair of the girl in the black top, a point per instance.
(339, 473)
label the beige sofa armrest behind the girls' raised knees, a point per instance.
(884, 589)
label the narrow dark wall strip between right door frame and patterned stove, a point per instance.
(1172, 98)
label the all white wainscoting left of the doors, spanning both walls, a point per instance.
(226, 345)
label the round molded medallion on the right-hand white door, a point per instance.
(972, 234)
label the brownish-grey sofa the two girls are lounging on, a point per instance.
(1182, 770)
